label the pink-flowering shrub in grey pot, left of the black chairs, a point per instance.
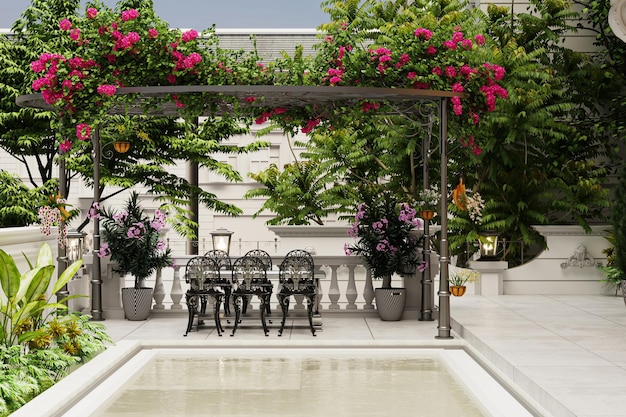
(134, 242)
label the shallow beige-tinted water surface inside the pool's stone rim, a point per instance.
(302, 383)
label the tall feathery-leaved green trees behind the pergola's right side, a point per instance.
(540, 149)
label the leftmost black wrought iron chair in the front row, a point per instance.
(203, 276)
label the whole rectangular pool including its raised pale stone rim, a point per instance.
(133, 379)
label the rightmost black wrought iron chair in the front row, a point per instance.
(297, 277)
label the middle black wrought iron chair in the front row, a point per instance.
(250, 279)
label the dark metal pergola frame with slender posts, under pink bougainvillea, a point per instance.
(418, 104)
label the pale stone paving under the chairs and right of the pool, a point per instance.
(567, 354)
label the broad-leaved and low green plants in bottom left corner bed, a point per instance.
(39, 340)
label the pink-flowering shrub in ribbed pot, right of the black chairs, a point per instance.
(383, 228)
